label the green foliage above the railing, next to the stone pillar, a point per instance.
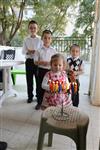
(85, 18)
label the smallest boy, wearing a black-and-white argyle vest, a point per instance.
(75, 68)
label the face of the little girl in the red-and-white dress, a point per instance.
(57, 65)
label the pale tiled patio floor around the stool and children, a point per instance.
(19, 121)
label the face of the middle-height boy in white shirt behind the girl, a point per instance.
(47, 39)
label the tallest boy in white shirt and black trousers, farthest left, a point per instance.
(31, 44)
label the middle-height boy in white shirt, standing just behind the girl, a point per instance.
(43, 62)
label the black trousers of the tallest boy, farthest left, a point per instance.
(31, 69)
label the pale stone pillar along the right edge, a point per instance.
(95, 65)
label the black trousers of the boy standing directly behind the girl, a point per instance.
(40, 91)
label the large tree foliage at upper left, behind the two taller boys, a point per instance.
(50, 14)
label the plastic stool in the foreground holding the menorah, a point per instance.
(74, 126)
